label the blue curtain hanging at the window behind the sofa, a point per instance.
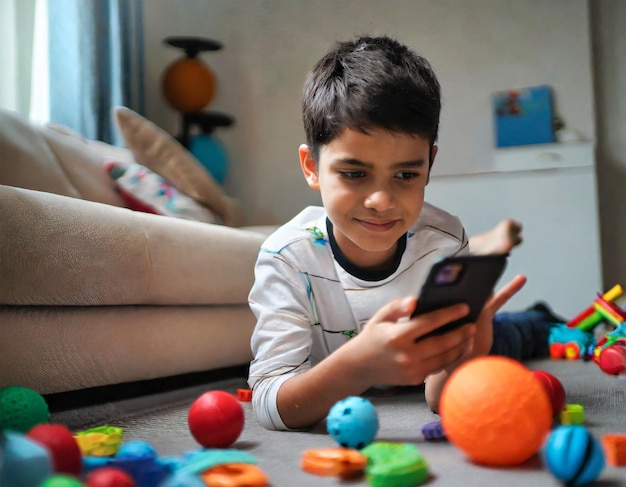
(96, 63)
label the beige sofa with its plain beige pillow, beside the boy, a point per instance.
(94, 294)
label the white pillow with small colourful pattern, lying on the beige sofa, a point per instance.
(144, 190)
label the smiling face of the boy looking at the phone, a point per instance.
(372, 186)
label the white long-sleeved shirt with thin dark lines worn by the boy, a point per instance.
(309, 300)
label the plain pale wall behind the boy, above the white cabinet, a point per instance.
(476, 46)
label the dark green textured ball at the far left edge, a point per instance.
(21, 409)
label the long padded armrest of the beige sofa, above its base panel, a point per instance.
(75, 252)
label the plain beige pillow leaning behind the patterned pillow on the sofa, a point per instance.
(159, 151)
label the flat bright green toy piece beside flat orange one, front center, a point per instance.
(394, 465)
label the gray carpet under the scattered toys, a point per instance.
(161, 419)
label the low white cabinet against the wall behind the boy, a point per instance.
(555, 198)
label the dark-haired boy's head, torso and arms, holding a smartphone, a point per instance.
(335, 286)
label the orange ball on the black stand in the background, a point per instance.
(188, 84)
